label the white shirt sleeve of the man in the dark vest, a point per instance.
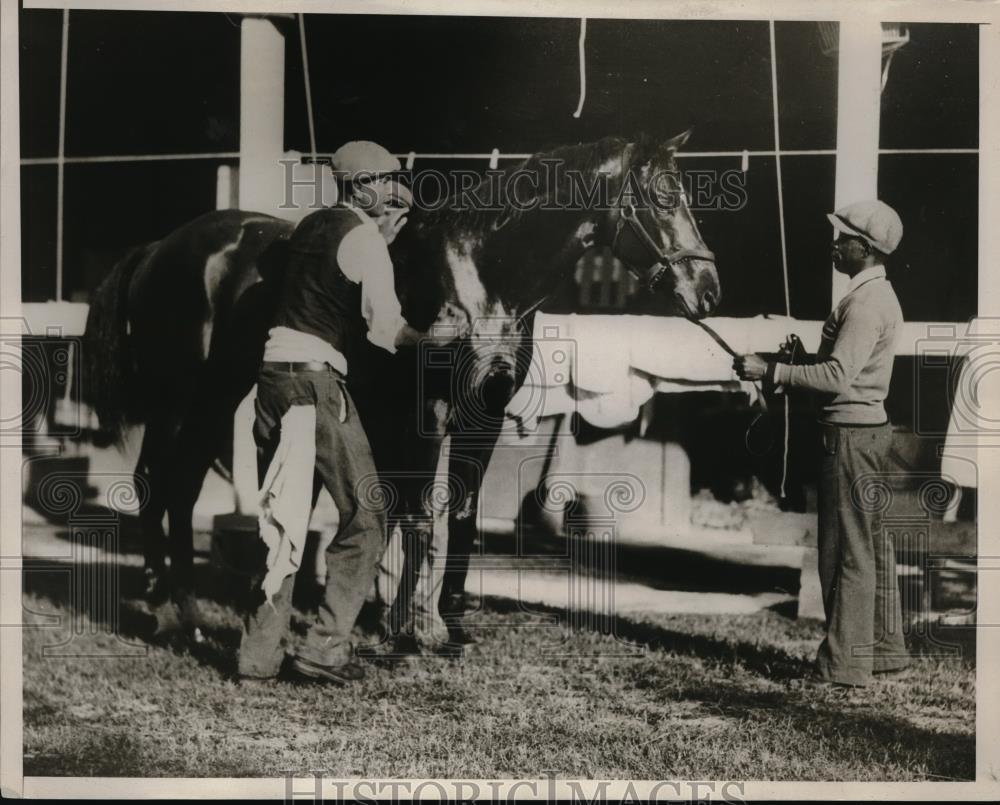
(364, 257)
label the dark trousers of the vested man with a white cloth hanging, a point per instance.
(345, 467)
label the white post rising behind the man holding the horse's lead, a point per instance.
(859, 91)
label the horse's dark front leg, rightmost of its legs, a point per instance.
(467, 463)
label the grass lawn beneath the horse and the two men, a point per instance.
(697, 697)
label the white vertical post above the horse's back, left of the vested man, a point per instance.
(262, 114)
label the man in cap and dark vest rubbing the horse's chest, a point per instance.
(337, 290)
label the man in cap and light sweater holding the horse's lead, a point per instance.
(851, 373)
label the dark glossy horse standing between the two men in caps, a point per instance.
(175, 333)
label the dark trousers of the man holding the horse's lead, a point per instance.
(857, 559)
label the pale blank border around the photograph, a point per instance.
(987, 784)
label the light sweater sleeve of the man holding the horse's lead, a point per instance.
(856, 339)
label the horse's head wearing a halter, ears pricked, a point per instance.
(651, 230)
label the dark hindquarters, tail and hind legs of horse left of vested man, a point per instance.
(159, 350)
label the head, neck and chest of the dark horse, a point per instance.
(480, 271)
